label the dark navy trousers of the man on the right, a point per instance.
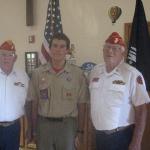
(119, 140)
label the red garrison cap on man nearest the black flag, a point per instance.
(115, 38)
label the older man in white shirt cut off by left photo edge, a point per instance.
(13, 89)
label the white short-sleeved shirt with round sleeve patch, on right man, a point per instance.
(114, 95)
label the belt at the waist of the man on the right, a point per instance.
(117, 129)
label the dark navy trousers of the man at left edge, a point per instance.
(10, 137)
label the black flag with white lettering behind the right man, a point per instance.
(139, 44)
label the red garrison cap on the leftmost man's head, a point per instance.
(8, 45)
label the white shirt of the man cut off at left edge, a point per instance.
(13, 89)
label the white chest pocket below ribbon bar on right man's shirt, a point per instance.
(116, 94)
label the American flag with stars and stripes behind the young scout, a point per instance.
(53, 25)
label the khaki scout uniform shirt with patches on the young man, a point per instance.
(58, 93)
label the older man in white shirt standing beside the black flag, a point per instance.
(118, 100)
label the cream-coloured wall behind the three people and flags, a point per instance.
(86, 22)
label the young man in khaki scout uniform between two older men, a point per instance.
(58, 92)
